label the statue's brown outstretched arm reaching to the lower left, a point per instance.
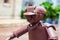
(18, 33)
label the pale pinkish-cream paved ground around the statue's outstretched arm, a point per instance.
(8, 26)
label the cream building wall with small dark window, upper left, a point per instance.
(10, 9)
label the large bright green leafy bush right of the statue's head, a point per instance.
(52, 12)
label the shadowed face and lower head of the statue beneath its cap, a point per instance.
(34, 18)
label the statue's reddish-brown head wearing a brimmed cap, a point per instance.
(35, 16)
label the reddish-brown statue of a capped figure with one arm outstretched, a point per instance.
(35, 29)
